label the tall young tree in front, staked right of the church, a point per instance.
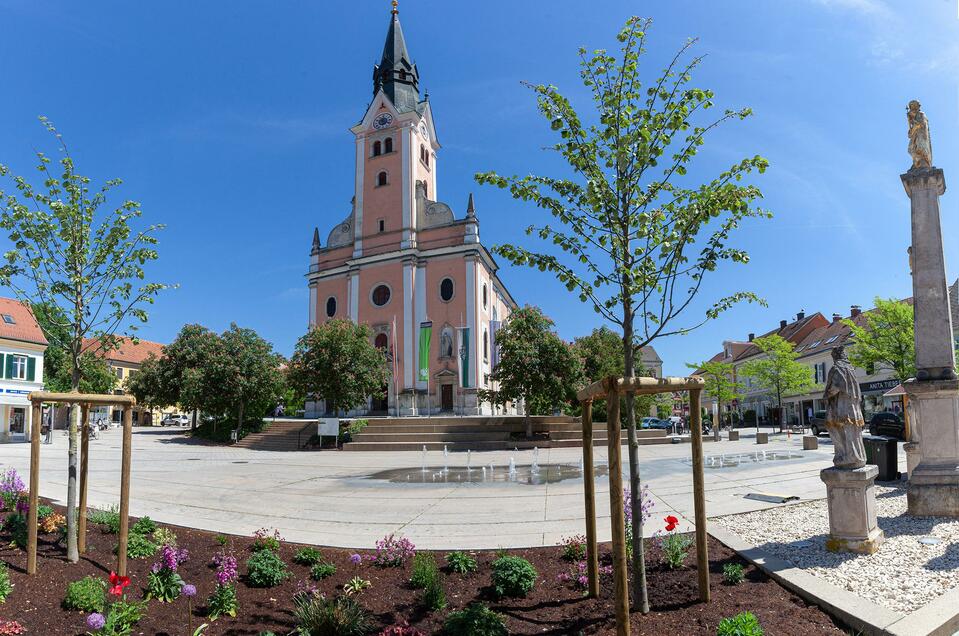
(636, 237)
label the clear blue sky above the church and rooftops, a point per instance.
(229, 123)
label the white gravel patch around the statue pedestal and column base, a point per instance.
(903, 575)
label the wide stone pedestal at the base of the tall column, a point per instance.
(934, 482)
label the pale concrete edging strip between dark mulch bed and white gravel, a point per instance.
(939, 617)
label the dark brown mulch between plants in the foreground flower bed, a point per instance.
(552, 608)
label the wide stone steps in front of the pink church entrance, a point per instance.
(481, 434)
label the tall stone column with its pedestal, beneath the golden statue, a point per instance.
(934, 392)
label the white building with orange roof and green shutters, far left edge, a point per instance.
(22, 345)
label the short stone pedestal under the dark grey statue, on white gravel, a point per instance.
(851, 497)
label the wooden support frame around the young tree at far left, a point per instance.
(85, 401)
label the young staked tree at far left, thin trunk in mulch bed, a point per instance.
(90, 264)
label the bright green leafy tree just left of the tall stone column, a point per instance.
(886, 340)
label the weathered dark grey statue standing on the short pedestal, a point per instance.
(844, 419)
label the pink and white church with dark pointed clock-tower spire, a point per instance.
(407, 264)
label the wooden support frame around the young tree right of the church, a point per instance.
(610, 390)
